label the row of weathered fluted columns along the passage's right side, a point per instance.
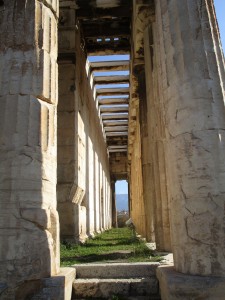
(182, 135)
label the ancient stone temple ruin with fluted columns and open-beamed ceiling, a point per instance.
(71, 126)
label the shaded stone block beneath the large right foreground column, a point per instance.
(178, 286)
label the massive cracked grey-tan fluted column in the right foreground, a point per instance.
(192, 76)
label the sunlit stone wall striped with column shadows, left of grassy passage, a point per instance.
(84, 197)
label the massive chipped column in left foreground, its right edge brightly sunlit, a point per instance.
(29, 234)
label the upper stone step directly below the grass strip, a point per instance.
(116, 270)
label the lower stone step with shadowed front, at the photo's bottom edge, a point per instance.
(105, 288)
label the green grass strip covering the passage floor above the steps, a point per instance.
(117, 244)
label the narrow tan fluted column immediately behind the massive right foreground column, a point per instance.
(158, 206)
